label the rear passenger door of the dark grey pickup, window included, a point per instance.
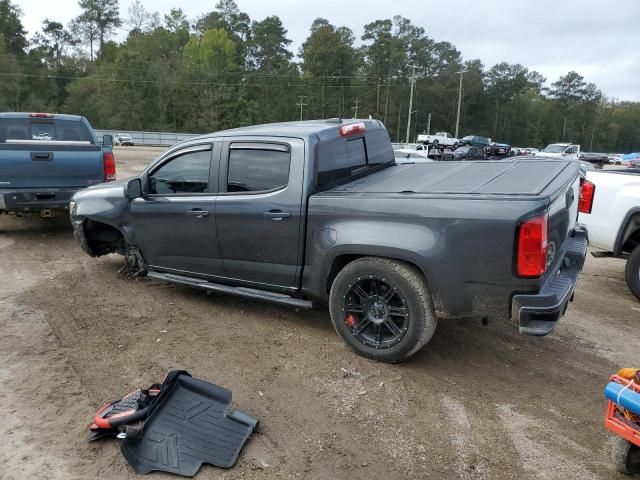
(258, 212)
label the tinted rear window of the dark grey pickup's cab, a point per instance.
(340, 159)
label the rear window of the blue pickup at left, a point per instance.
(31, 130)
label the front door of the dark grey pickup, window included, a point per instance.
(174, 222)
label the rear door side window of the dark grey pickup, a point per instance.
(257, 167)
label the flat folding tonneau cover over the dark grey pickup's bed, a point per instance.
(506, 177)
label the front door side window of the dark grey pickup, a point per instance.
(186, 173)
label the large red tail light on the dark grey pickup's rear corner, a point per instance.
(532, 246)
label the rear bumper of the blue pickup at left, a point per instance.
(36, 199)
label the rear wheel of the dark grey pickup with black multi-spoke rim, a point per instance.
(382, 309)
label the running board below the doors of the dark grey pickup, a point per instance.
(252, 293)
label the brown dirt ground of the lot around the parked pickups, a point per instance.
(478, 402)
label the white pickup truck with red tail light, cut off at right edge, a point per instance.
(610, 209)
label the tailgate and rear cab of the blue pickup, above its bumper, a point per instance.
(48, 152)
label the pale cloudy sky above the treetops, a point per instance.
(598, 39)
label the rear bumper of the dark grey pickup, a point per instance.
(538, 314)
